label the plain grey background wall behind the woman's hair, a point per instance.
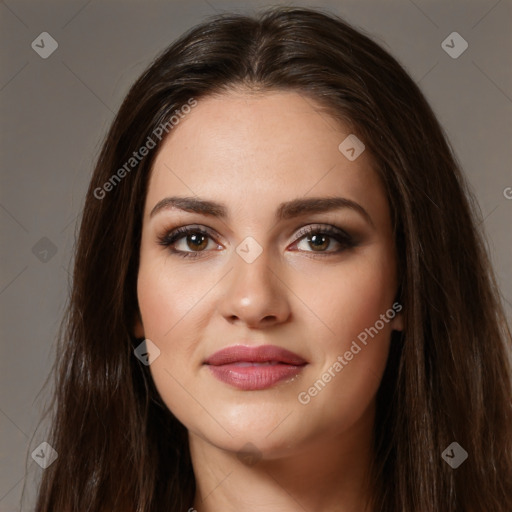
(55, 112)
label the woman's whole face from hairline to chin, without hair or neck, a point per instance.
(275, 266)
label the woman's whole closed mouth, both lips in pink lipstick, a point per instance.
(252, 368)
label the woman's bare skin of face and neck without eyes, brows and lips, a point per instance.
(252, 152)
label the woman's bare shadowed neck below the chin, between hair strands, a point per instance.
(330, 474)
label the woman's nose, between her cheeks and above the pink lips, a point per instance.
(255, 294)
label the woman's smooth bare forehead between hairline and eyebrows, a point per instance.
(243, 149)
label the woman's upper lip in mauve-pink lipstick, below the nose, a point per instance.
(254, 354)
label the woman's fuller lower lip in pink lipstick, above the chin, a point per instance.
(250, 378)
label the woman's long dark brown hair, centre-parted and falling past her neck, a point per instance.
(448, 376)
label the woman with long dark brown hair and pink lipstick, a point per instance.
(280, 299)
